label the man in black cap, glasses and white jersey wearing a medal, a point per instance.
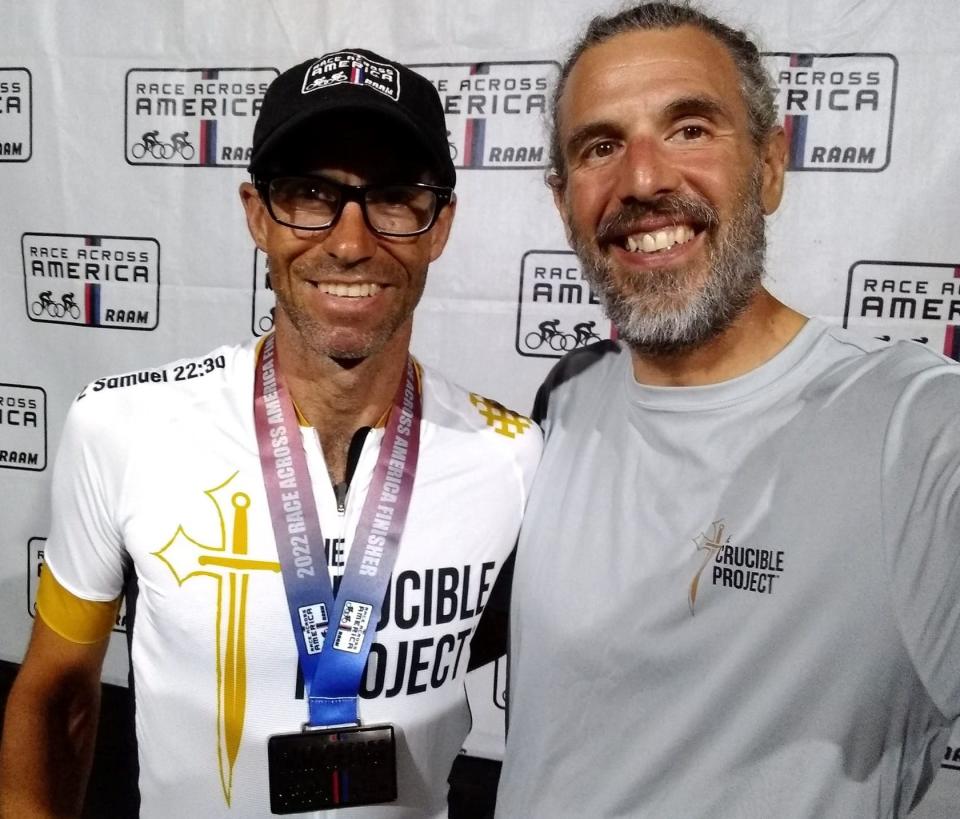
(277, 669)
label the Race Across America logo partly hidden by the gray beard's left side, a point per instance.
(557, 310)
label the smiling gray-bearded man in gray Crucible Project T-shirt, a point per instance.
(735, 591)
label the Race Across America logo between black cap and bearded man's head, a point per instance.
(494, 111)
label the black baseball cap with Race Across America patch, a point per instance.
(353, 80)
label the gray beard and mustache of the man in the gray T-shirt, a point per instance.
(649, 309)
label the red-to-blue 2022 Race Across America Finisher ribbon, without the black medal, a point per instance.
(333, 659)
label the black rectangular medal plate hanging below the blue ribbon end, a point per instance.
(327, 768)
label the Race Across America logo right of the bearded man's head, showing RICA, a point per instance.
(837, 109)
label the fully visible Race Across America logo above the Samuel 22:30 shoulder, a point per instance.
(92, 281)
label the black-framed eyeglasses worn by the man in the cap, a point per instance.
(315, 203)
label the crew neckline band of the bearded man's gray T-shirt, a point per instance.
(732, 391)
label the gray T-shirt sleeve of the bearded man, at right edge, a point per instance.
(921, 526)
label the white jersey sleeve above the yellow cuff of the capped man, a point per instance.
(85, 550)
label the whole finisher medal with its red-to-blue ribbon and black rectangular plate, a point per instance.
(334, 762)
